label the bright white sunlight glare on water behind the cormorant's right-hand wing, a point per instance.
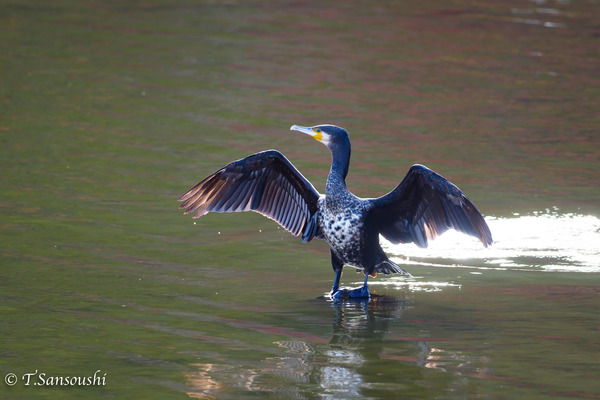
(546, 241)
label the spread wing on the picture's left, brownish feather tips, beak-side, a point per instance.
(265, 182)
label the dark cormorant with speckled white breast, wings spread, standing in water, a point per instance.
(423, 206)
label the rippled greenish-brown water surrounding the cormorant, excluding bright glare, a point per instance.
(110, 110)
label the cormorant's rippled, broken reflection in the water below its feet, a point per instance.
(364, 352)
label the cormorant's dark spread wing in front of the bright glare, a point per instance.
(425, 205)
